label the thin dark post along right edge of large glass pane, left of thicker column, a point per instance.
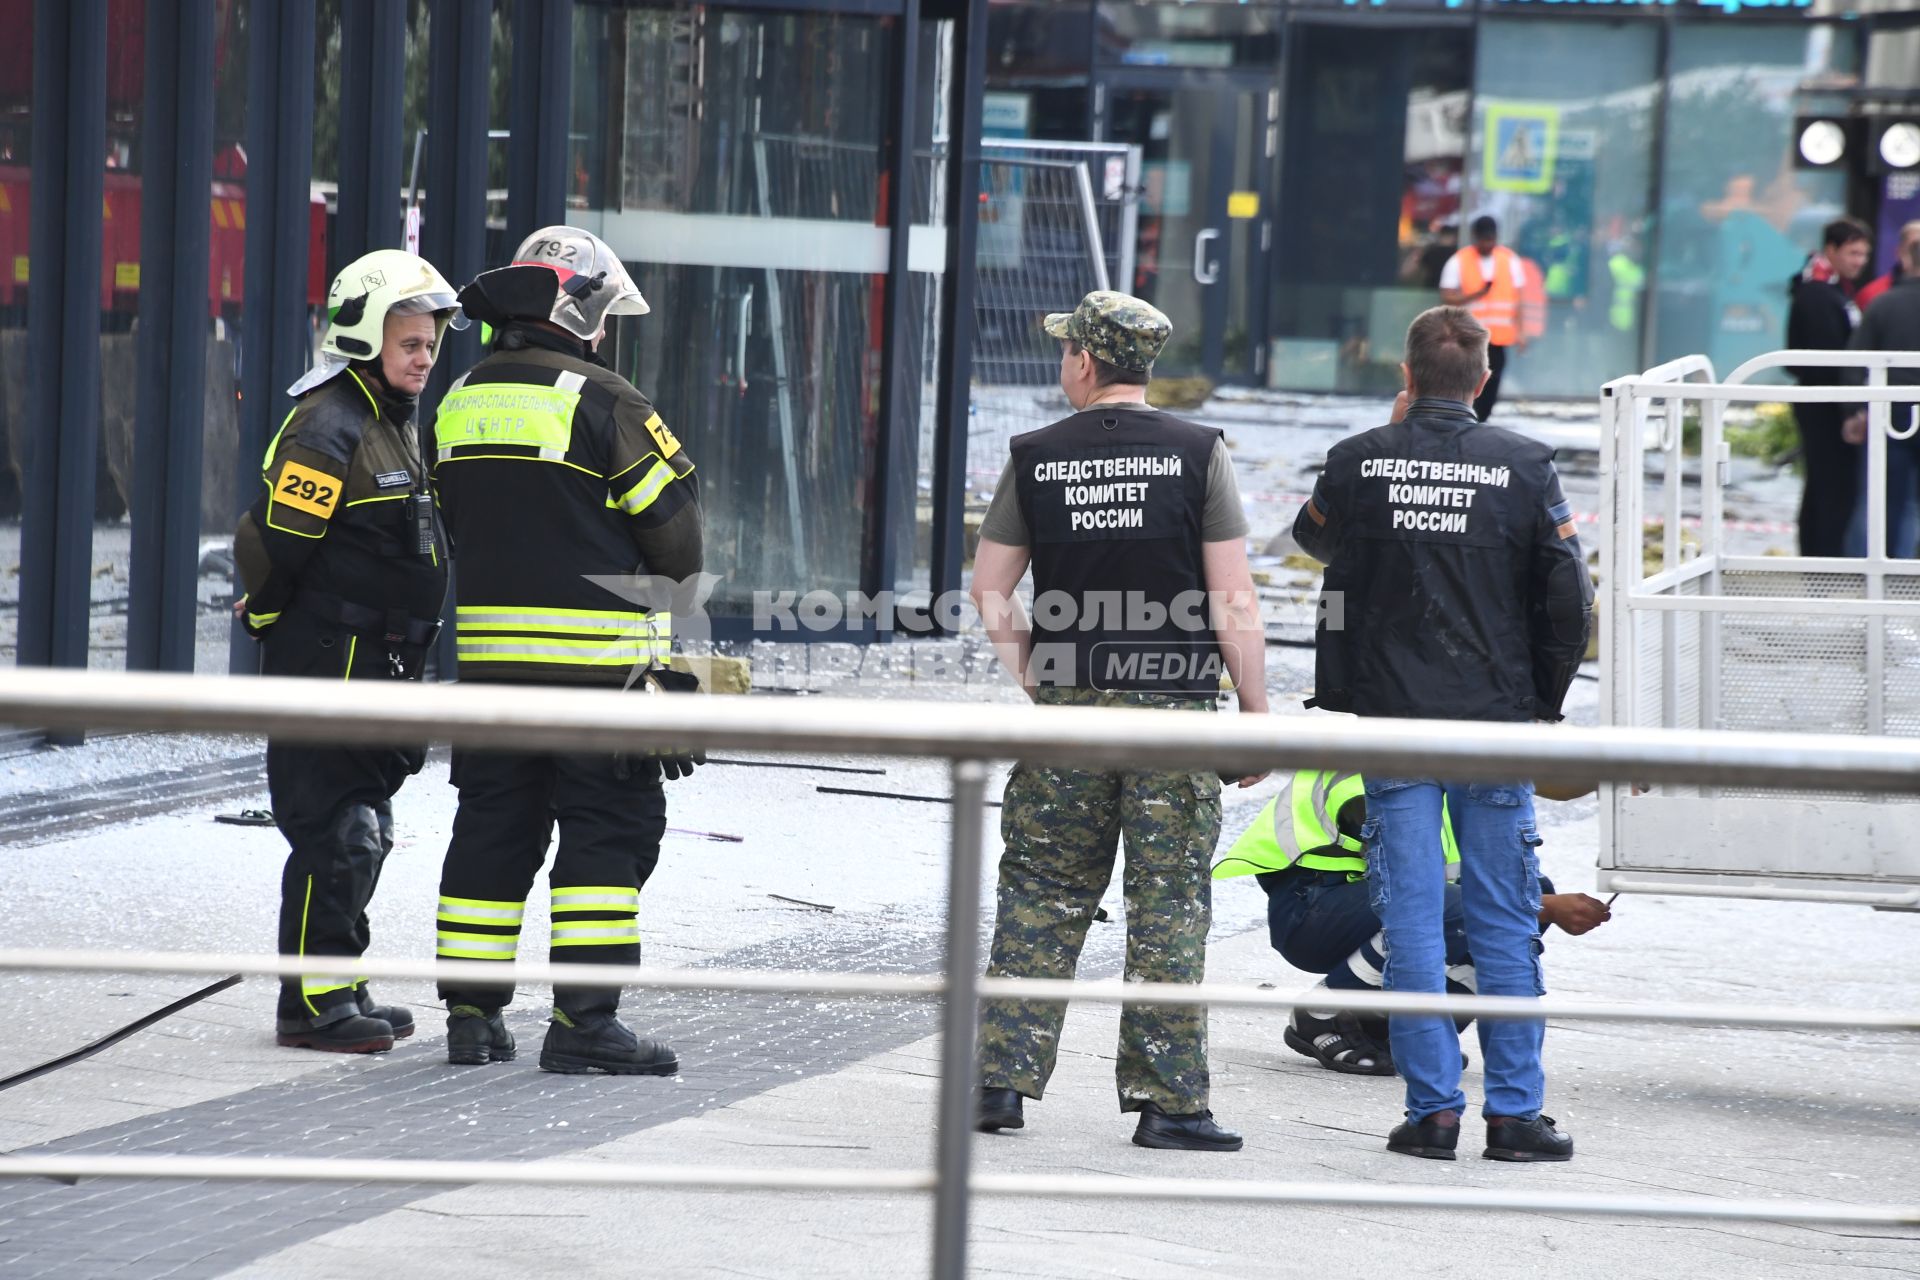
(900, 394)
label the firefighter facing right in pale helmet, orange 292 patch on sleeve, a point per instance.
(347, 569)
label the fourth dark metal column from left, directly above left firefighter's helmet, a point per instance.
(373, 74)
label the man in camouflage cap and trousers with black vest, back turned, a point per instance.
(1115, 506)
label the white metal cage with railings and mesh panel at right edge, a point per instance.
(1710, 636)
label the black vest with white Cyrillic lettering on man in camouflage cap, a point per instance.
(1113, 500)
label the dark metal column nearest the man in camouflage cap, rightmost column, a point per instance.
(957, 300)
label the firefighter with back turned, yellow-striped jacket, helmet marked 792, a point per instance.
(569, 500)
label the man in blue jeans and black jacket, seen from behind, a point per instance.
(1464, 596)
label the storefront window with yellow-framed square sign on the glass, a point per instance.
(1564, 160)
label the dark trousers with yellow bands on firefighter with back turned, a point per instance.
(612, 815)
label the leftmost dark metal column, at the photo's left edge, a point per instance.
(70, 139)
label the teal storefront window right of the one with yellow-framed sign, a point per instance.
(1739, 220)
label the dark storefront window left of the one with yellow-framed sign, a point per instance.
(1364, 256)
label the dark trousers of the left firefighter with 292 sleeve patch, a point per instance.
(335, 809)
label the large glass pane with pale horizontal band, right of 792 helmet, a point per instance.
(748, 206)
